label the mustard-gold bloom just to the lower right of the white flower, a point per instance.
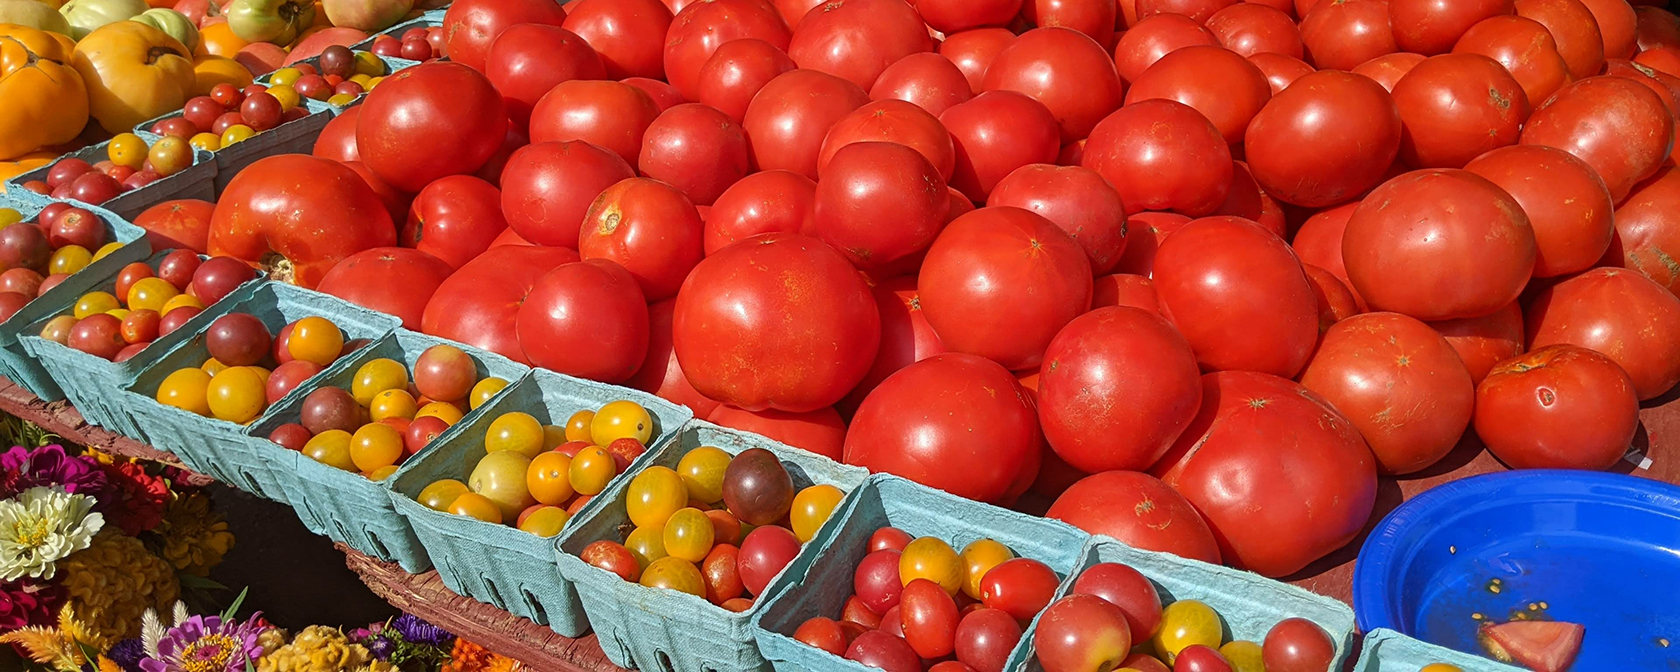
(115, 582)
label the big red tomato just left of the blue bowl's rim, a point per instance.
(1276, 507)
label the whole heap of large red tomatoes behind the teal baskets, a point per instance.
(1236, 260)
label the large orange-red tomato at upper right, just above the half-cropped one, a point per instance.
(1615, 125)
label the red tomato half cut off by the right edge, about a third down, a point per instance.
(1647, 238)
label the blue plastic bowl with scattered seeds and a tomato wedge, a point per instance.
(1590, 549)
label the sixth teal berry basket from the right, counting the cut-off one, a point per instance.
(347, 507)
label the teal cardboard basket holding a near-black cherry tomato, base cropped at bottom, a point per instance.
(661, 629)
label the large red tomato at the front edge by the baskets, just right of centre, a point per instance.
(957, 423)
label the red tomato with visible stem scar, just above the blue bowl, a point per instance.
(1558, 407)
